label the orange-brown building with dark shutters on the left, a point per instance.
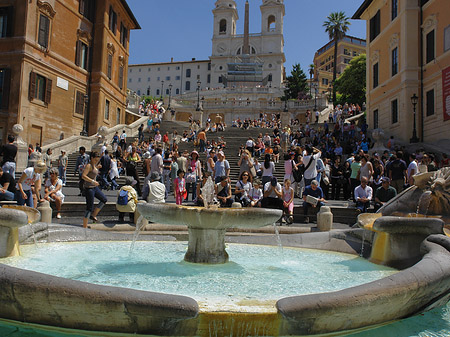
(62, 66)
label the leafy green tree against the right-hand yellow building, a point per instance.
(352, 82)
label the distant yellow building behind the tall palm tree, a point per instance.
(348, 48)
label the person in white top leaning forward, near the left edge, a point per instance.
(30, 178)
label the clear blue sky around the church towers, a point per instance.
(182, 29)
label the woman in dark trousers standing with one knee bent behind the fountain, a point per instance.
(91, 189)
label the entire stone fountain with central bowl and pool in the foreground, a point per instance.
(422, 282)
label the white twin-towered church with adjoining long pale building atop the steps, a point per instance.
(267, 47)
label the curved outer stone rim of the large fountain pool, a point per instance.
(43, 299)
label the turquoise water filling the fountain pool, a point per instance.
(254, 270)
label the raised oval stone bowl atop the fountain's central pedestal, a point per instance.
(209, 218)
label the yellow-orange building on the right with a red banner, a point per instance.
(408, 56)
